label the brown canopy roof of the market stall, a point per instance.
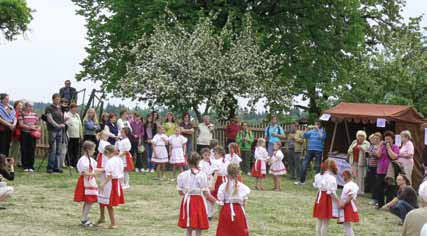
(364, 111)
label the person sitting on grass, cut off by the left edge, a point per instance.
(7, 171)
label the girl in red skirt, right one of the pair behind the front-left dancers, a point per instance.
(124, 146)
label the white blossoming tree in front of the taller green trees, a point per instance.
(185, 70)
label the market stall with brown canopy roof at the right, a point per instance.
(347, 118)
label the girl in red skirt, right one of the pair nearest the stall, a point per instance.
(348, 210)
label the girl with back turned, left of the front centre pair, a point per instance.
(193, 186)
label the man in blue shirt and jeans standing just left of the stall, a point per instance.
(315, 137)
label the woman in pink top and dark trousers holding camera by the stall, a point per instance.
(387, 152)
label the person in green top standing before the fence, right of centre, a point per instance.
(244, 139)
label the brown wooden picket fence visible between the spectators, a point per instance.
(219, 134)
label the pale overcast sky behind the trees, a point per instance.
(34, 67)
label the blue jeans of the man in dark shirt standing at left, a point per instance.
(55, 139)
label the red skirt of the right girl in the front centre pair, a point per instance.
(229, 227)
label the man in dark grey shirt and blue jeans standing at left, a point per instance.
(55, 126)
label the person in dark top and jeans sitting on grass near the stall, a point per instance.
(406, 199)
